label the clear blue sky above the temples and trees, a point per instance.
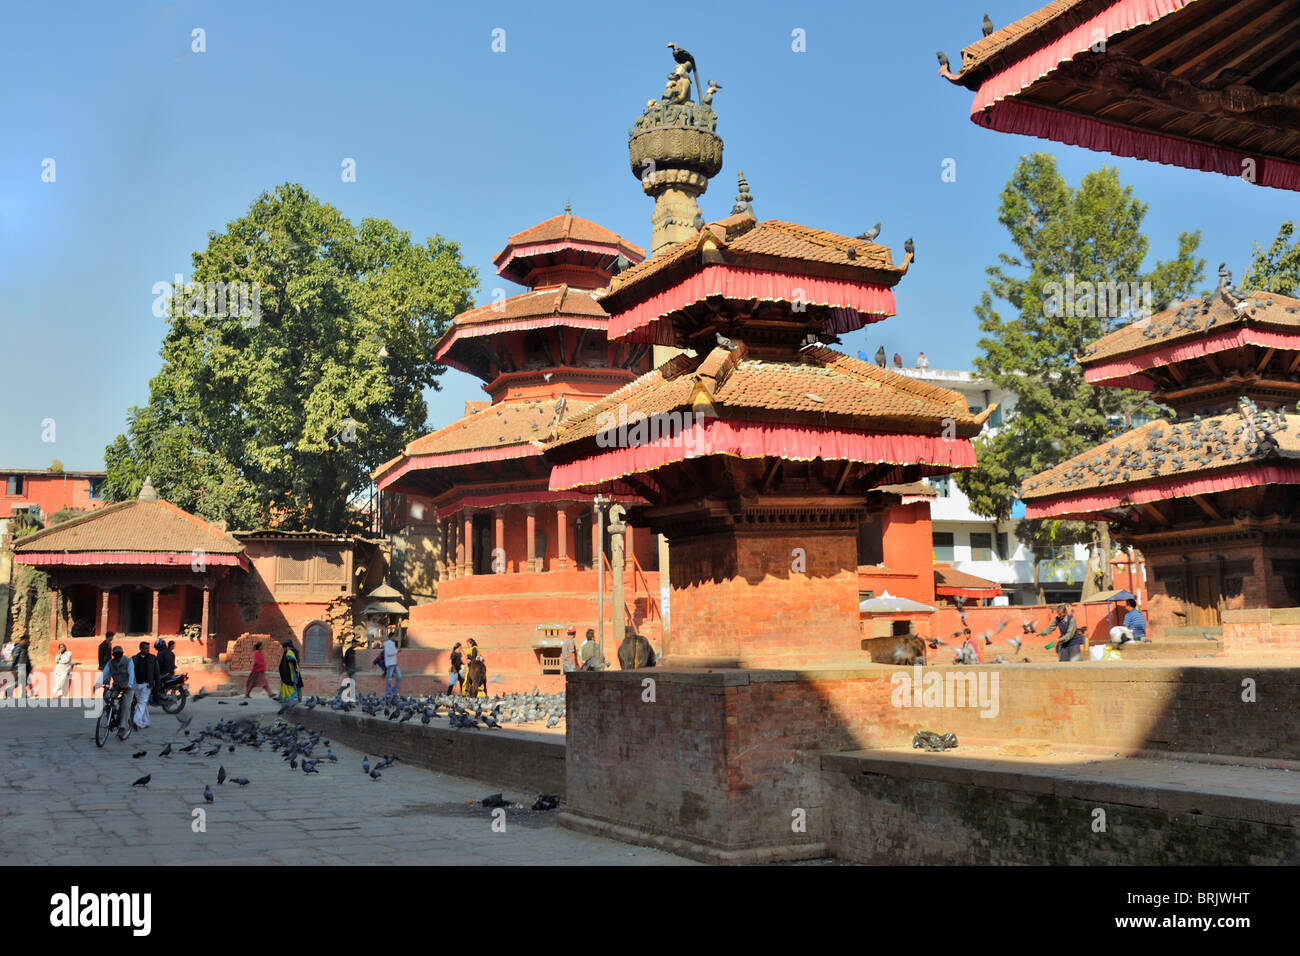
(157, 145)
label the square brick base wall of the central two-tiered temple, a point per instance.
(765, 599)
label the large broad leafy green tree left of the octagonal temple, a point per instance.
(278, 399)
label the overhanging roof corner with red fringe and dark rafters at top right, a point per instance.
(1211, 85)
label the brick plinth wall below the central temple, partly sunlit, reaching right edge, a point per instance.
(717, 765)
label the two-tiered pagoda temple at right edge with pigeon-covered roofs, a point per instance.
(1211, 498)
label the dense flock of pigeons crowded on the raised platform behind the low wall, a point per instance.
(462, 713)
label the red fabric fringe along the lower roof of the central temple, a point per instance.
(764, 440)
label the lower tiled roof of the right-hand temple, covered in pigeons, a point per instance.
(1158, 451)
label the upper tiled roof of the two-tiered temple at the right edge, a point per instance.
(1194, 319)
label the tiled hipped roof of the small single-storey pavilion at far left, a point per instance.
(135, 527)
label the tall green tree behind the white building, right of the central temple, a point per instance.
(1076, 253)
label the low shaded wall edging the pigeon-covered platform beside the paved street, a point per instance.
(499, 759)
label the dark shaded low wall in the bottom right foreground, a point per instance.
(941, 810)
